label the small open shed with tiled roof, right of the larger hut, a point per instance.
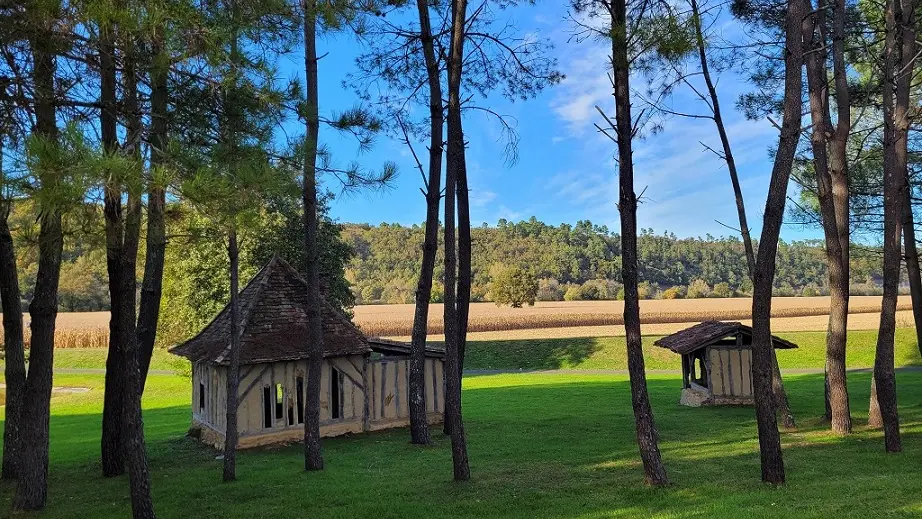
(716, 362)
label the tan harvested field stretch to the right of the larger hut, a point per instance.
(397, 320)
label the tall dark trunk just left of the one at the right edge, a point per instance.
(899, 60)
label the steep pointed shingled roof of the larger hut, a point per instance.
(273, 323)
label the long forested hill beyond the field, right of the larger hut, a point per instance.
(583, 261)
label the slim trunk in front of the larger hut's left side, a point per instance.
(233, 369)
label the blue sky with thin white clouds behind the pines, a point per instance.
(566, 170)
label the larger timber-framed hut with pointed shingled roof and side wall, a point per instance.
(364, 381)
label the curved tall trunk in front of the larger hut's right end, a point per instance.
(419, 425)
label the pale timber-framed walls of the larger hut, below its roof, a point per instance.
(369, 393)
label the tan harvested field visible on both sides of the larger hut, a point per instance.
(548, 320)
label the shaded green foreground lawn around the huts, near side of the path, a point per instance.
(541, 445)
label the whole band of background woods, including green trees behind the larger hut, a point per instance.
(581, 262)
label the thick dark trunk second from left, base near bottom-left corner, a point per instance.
(32, 488)
